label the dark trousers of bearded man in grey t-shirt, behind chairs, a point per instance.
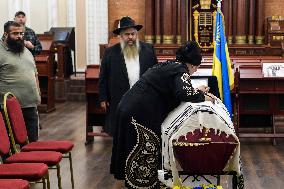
(32, 122)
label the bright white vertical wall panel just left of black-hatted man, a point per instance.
(97, 28)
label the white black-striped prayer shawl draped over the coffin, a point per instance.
(186, 118)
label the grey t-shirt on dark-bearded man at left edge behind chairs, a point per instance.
(18, 75)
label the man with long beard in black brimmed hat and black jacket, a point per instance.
(121, 66)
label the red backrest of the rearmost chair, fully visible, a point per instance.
(17, 120)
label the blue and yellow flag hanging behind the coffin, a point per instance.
(221, 62)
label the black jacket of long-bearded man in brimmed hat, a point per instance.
(113, 81)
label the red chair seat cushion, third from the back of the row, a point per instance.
(26, 171)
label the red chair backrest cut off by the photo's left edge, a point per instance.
(4, 139)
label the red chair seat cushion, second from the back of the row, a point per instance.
(49, 158)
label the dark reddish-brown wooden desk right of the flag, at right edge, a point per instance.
(257, 101)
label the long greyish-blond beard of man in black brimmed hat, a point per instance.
(130, 51)
